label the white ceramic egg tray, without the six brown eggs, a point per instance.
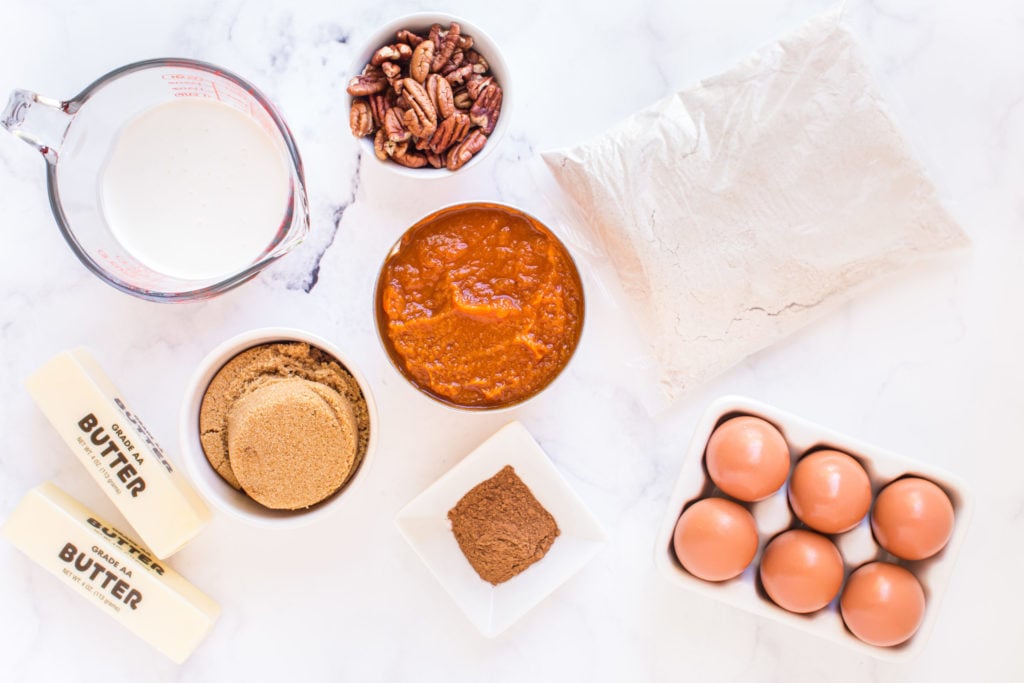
(774, 517)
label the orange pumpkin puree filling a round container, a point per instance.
(480, 306)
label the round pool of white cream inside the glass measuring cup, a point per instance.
(195, 189)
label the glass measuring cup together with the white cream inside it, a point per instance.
(172, 180)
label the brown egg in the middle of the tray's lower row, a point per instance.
(802, 571)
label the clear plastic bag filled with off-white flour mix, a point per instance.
(738, 211)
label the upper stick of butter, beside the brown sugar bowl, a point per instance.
(88, 411)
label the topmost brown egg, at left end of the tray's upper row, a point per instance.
(748, 458)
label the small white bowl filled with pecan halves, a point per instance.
(430, 96)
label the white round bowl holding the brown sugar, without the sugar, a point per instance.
(219, 492)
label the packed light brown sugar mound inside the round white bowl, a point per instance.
(285, 423)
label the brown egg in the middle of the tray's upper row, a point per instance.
(830, 492)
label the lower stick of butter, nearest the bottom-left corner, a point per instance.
(111, 571)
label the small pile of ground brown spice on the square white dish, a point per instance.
(501, 528)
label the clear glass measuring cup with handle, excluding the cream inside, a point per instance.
(76, 138)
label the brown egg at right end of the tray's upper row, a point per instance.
(913, 519)
